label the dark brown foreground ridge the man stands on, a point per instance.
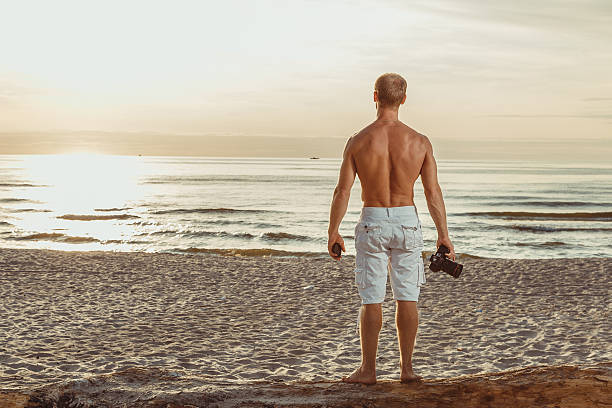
(560, 386)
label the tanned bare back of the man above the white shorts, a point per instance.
(388, 158)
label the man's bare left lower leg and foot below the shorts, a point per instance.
(369, 327)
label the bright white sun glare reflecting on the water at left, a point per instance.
(83, 197)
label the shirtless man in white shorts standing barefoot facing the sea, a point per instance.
(388, 157)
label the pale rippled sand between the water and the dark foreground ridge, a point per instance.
(232, 321)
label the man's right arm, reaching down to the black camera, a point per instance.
(435, 201)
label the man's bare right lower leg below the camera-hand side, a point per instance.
(407, 322)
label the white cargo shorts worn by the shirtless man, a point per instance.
(389, 241)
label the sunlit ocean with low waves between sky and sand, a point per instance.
(280, 206)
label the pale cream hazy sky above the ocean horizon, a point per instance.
(498, 79)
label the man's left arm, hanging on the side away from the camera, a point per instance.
(342, 193)
